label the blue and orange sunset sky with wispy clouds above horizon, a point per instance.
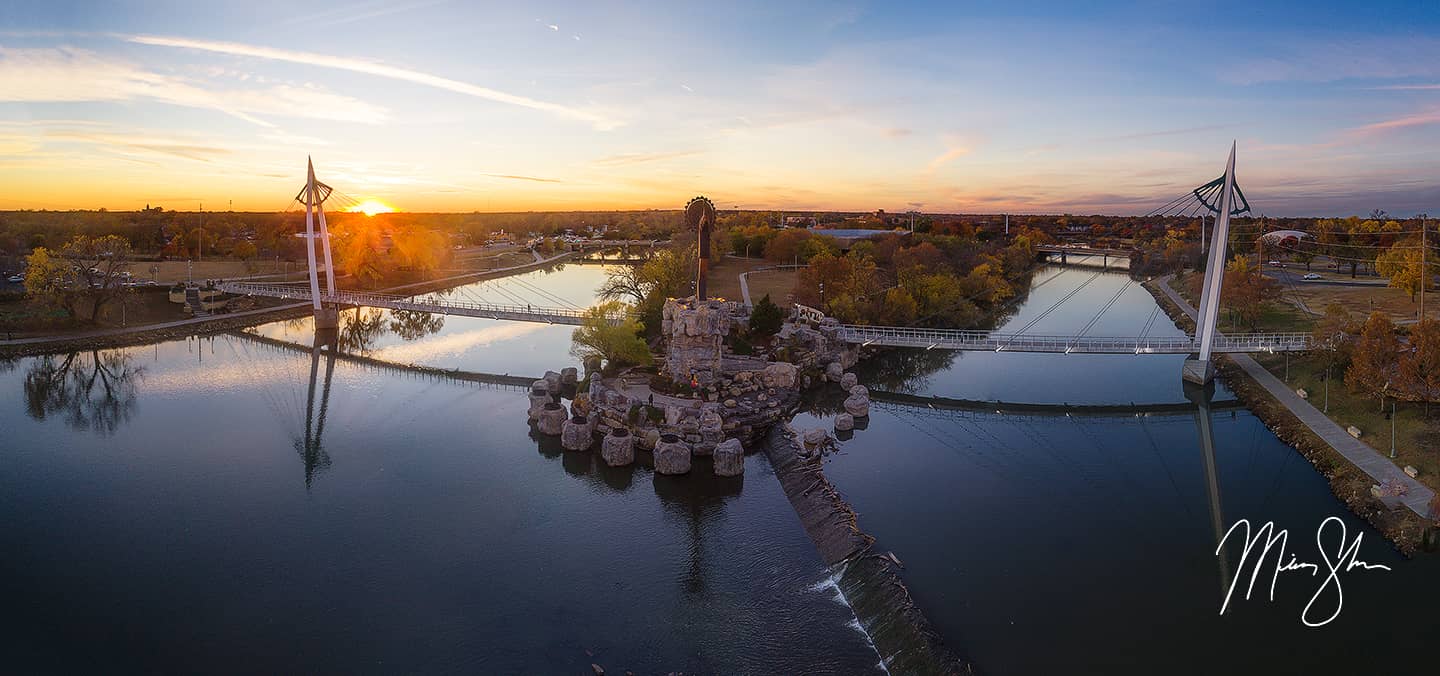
(989, 107)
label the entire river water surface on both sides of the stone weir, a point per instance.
(247, 505)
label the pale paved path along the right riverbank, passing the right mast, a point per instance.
(1362, 455)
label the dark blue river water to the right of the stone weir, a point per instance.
(1085, 544)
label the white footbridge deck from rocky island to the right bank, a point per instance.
(954, 339)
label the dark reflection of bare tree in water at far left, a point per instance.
(89, 390)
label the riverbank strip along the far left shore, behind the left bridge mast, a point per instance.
(225, 324)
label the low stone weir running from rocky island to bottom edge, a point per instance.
(869, 580)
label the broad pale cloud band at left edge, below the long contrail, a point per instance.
(74, 76)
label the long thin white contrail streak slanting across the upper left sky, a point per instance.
(382, 71)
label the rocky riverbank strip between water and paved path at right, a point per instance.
(1349, 482)
